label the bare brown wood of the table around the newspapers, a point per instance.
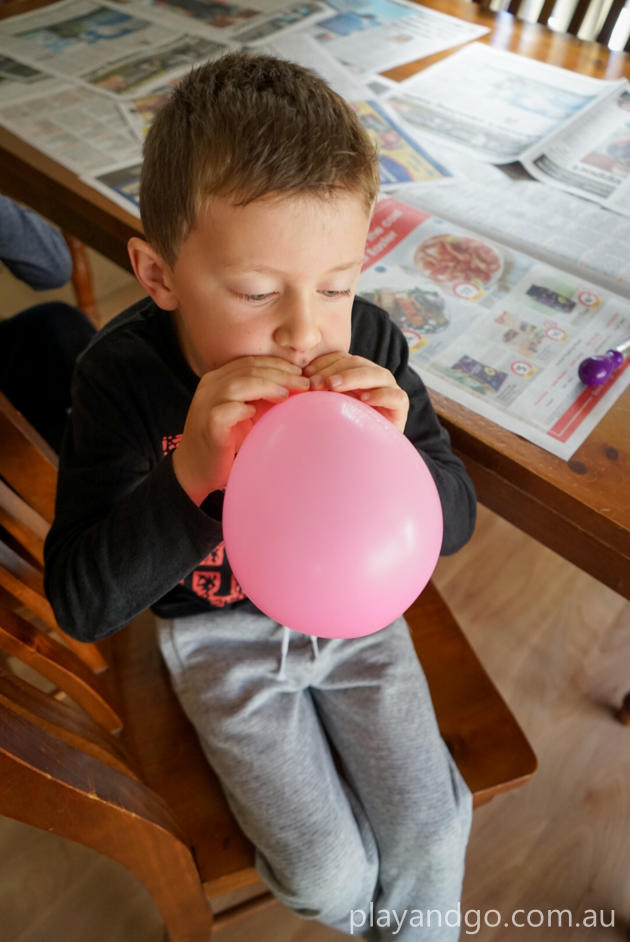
(580, 508)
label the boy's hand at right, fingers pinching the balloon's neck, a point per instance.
(362, 379)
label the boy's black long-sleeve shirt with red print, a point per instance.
(126, 536)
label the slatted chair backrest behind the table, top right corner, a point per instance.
(592, 19)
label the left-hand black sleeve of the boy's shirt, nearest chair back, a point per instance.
(125, 532)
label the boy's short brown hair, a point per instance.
(247, 126)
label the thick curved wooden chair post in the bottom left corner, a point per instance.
(50, 785)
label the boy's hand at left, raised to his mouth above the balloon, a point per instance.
(225, 406)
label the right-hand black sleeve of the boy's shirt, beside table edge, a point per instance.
(377, 337)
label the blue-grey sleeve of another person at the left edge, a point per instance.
(32, 249)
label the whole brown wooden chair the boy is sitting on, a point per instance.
(107, 757)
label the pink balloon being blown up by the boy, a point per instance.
(332, 521)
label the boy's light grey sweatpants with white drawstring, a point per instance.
(331, 760)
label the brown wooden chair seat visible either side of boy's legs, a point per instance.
(480, 731)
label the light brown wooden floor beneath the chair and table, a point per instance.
(557, 644)
